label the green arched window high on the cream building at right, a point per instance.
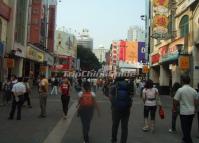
(184, 26)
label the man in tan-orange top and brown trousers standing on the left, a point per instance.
(43, 93)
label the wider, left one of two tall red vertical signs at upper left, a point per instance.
(35, 26)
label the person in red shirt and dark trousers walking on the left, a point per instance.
(65, 96)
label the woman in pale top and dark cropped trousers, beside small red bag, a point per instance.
(151, 100)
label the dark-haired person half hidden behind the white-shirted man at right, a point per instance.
(175, 109)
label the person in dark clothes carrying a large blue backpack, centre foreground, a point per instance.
(121, 102)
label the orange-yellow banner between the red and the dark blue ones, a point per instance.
(132, 52)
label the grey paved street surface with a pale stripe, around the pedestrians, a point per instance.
(54, 129)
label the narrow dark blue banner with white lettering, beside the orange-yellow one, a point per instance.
(141, 52)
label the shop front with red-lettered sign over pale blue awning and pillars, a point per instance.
(169, 68)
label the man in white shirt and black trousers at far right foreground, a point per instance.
(186, 97)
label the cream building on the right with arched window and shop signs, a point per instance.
(168, 50)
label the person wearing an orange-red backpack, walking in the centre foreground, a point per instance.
(86, 104)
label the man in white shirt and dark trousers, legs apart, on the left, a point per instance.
(18, 90)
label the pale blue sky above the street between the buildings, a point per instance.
(106, 20)
